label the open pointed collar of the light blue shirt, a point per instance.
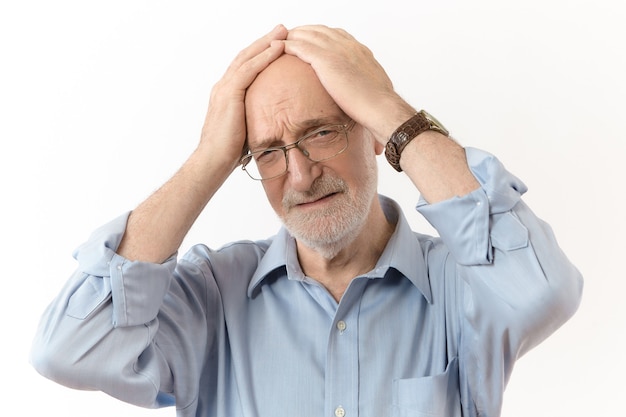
(403, 254)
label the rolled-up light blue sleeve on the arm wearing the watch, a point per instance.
(516, 284)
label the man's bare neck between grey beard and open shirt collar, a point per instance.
(334, 266)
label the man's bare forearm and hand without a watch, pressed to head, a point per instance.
(157, 227)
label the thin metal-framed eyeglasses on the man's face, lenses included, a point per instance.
(319, 145)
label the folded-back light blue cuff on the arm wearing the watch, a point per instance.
(464, 223)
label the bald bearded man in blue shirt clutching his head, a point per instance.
(346, 311)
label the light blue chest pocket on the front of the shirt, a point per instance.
(430, 396)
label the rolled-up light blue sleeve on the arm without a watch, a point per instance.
(98, 332)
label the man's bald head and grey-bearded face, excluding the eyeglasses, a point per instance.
(323, 204)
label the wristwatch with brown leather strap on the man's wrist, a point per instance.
(420, 122)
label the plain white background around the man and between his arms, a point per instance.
(100, 102)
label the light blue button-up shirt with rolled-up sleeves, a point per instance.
(433, 330)
